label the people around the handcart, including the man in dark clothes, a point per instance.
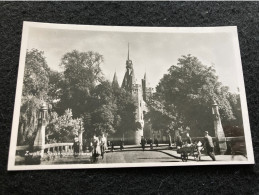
(207, 144)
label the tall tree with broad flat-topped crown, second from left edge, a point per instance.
(82, 73)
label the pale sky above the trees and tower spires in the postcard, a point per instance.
(152, 53)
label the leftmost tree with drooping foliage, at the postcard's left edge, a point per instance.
(35, 89)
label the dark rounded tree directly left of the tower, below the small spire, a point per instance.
(112, 111)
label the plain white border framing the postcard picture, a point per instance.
(16, 114)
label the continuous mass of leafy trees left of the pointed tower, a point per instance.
(78, 93)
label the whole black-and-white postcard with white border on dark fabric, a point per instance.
(112, 96)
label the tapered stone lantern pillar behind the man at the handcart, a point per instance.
(219, 133)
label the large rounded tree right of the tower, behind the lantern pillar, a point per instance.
(190, 88)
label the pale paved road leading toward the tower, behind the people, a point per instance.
(133, 154)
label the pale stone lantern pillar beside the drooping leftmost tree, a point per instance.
(39, 142)
